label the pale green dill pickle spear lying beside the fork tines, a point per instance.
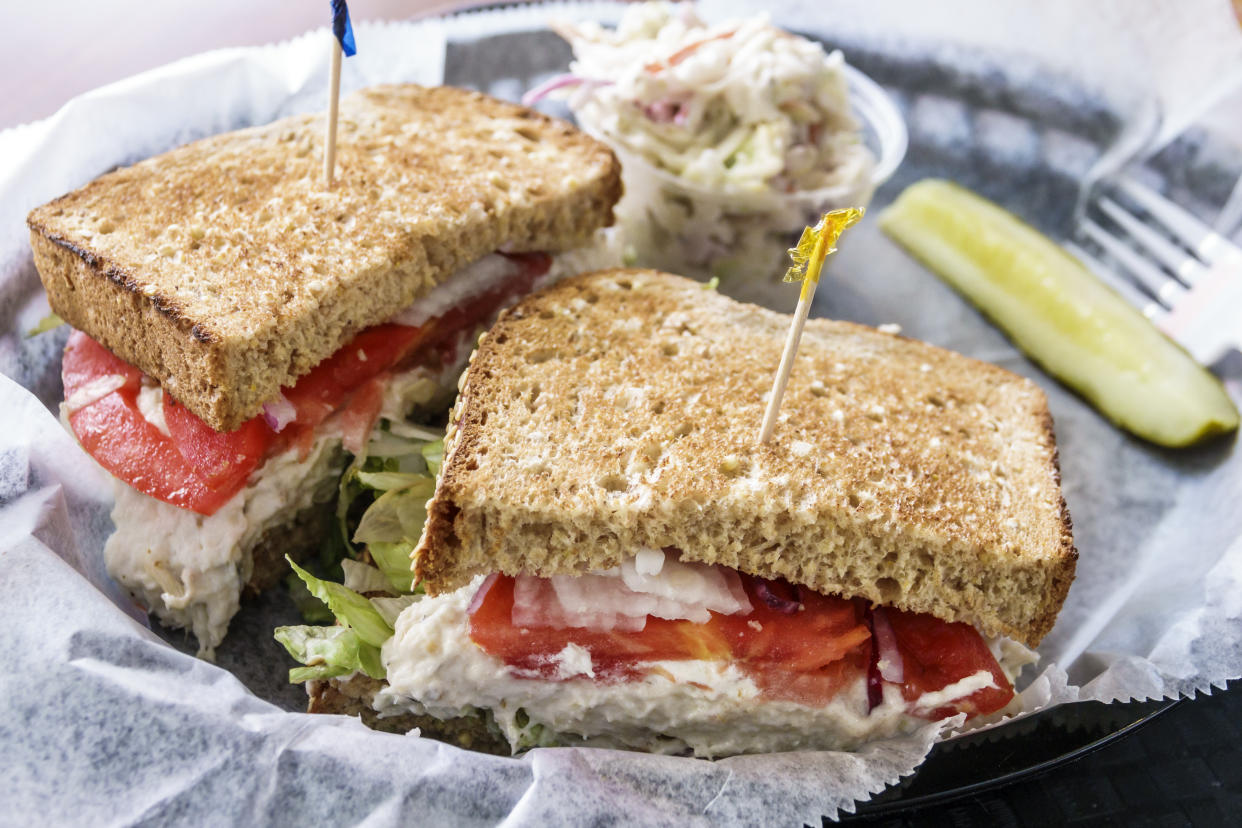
(1061, 315)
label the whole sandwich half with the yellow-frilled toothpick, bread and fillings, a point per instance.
(612, 559)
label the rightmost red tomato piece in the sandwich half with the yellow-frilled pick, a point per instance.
(937, 654)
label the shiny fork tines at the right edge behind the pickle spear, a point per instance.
(1178, 271)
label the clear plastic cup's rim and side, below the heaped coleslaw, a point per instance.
(742, 238)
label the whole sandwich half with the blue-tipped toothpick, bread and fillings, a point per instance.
(244, 335)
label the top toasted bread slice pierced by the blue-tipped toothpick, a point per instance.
(227, 271)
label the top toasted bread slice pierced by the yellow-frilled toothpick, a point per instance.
(620, 409)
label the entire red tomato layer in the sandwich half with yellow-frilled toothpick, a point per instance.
(807, 656)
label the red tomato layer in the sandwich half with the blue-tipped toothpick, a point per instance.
(199, 469)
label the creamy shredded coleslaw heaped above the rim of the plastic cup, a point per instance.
(740, 106)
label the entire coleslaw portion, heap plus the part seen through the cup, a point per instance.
(732, 136)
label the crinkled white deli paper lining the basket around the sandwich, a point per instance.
(102, 722)
